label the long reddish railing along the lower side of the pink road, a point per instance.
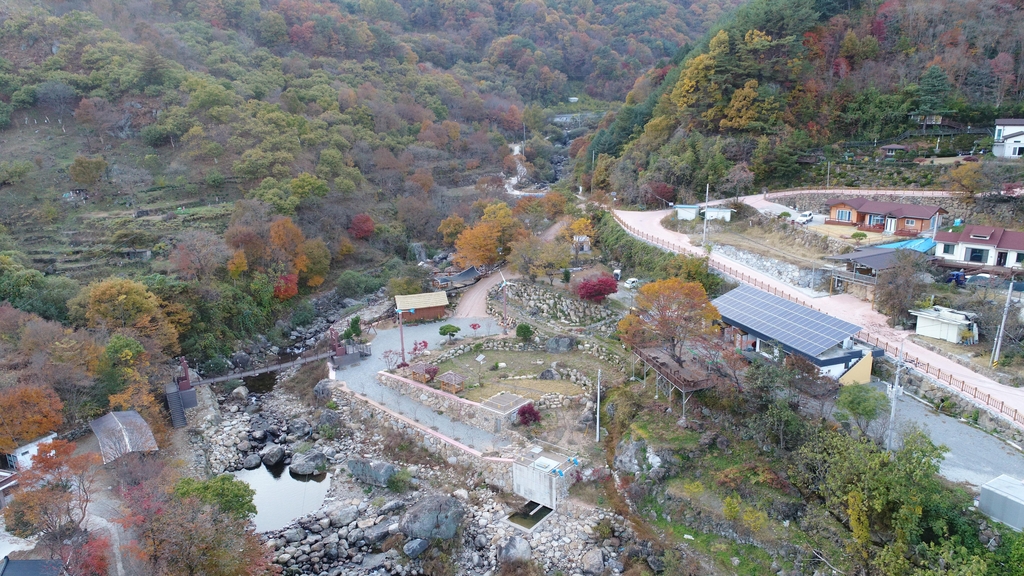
(943, 378)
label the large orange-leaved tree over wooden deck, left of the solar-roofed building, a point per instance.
(676, 311)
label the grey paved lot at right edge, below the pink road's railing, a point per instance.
(974, 458)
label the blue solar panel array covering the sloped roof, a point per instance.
(798, 327)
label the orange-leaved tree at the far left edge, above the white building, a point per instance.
(27, 414)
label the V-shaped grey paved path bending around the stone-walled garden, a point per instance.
(363, 379)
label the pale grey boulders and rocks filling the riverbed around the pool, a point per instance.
(367, 529)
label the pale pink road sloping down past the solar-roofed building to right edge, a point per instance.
(845, 307)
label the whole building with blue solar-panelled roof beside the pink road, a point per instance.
(761, 323)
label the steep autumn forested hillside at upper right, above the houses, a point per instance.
(784, 83)
